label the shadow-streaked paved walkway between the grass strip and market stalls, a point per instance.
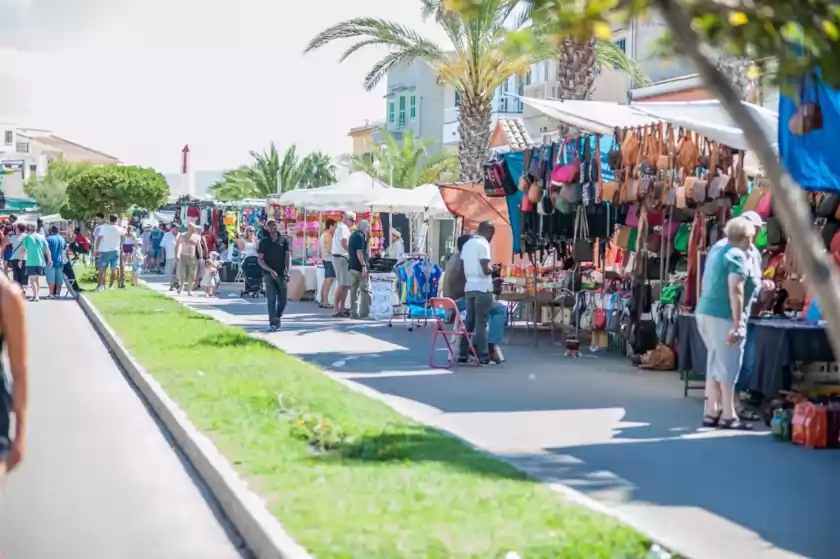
(627, 439)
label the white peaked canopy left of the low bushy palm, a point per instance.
(354, 193)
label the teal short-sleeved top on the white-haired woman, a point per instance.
(725, 259)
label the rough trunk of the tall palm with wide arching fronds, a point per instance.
(474, 128)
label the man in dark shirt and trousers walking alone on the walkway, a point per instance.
(275, 259)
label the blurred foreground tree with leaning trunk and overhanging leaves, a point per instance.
(799, 38)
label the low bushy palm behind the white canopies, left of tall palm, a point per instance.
(406, 164)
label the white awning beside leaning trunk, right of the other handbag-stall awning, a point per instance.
(710, 119)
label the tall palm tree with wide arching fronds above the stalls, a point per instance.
(484, 55)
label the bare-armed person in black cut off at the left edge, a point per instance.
(14, 391)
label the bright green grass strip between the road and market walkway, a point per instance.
(346, 475)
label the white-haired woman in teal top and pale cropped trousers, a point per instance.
(730, 280)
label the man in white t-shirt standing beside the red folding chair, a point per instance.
(478, 294)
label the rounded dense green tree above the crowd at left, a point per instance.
(113, 189)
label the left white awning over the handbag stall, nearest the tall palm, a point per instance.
(600, 117)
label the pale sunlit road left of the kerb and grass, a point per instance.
(100, 480)
